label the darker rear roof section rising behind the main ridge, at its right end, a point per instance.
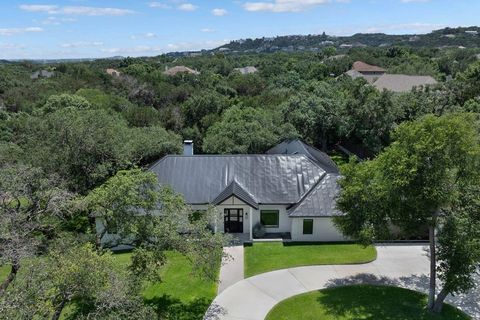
(296, 146)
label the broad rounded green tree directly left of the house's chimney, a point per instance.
(86, 146)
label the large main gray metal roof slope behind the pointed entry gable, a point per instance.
(268, 179)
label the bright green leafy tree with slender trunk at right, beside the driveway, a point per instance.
(420, 180)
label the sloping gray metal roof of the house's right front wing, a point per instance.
(320, 201)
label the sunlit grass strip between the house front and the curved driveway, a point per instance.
(269, 256)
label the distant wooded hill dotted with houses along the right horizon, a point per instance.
(468, 37)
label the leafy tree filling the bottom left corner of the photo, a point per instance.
(76, 274)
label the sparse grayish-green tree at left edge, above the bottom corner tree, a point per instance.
(31, 203)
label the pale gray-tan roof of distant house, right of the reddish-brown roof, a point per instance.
(402, 82)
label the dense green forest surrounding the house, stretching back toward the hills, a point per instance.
(72, 145)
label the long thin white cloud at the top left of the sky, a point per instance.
(75, 10)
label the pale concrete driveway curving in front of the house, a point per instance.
(399, 265)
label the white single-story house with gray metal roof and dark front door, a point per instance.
(289, 190)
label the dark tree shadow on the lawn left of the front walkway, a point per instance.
(171, 308)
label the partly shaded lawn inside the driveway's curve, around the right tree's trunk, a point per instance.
(360, 302)
